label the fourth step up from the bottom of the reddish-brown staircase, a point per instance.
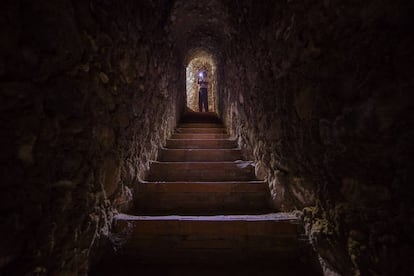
(197, 155)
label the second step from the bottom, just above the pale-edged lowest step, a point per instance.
(202, 197)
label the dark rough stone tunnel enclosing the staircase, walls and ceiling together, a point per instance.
(318, 95)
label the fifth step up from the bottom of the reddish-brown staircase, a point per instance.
(201, 143)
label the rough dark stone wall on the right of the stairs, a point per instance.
(320, 92)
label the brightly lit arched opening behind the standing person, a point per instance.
(201, 60)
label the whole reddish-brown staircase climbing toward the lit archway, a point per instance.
(201, 204)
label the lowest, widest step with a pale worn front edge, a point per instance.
(208, 239)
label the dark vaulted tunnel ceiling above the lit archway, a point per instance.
(200, 25)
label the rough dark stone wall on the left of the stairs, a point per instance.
(88, 91)
